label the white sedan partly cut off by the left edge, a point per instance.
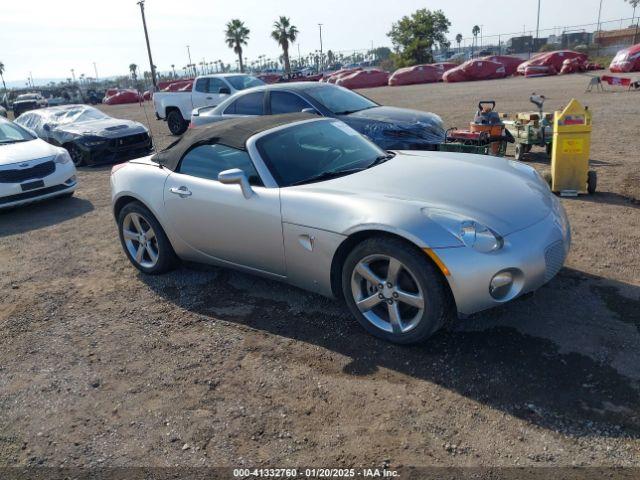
(31, 169)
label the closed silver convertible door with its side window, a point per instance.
(216, 220)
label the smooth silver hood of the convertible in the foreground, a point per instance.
(504, 195)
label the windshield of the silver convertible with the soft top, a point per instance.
(315, 151)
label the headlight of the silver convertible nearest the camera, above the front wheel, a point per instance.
(471, 233)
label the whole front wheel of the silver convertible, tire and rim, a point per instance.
(394, 291)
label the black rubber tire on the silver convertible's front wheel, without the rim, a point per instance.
(438, 306)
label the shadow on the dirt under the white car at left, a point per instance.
(41, 214)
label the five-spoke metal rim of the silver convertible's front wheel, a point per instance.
(387, 293)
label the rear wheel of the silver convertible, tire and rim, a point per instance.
(144, 240)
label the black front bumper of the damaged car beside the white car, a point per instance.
(116, 149)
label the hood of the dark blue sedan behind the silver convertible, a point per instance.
(392, 123)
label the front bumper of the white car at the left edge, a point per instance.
(61, 182)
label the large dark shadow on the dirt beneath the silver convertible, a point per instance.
(566, 358)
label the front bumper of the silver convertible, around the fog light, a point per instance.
(534, 256)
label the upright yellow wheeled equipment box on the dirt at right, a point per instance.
(570, 173)
